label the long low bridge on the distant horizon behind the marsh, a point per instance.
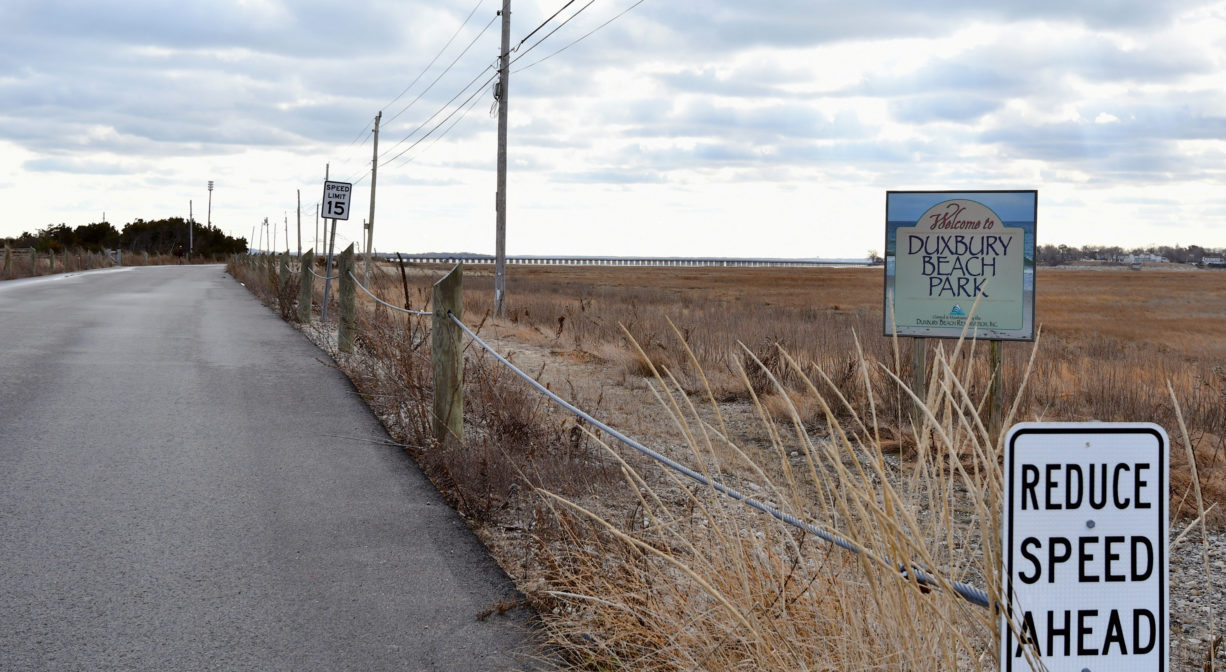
(693, 262)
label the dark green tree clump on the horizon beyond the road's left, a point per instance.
(155, 237)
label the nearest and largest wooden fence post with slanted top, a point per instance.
(448, 356)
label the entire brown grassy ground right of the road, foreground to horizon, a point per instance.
(779, 382)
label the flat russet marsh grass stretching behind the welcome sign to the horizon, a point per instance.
(1113, 340)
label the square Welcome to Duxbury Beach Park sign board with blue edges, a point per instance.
(961, 259)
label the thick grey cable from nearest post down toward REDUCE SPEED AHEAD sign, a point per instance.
(969, 593)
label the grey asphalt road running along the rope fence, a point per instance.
(186, 486)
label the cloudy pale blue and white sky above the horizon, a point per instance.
(680, 128)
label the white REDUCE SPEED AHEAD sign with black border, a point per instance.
(1084, 548)
